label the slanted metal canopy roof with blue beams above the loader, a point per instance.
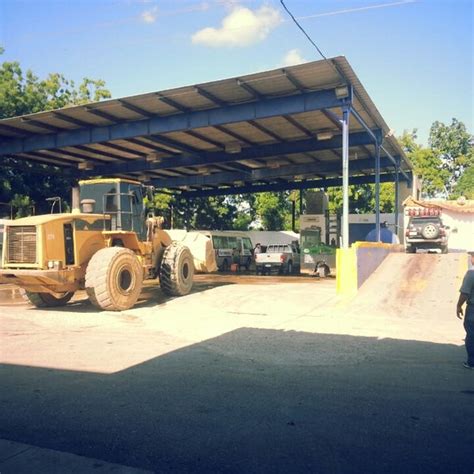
(276, 129)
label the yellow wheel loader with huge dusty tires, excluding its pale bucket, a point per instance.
(106, 248)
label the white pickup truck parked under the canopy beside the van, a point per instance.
(285, 258)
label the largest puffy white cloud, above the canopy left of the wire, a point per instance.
(242, 27)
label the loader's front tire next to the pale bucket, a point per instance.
(177, 270)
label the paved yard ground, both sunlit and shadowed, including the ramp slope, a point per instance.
(261, 376)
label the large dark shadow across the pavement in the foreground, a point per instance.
(258, 401)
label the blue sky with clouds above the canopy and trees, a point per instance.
(415, 58)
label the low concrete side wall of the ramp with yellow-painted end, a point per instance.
(355, 264)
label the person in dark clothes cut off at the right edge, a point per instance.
(467, 296)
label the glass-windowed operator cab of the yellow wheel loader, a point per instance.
(122, 199)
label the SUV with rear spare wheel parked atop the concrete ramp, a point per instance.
(426, 232)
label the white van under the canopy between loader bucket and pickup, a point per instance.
(224, 242)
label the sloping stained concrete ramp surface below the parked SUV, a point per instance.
(413, 285)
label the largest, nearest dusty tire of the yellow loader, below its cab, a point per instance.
(114, 279)
